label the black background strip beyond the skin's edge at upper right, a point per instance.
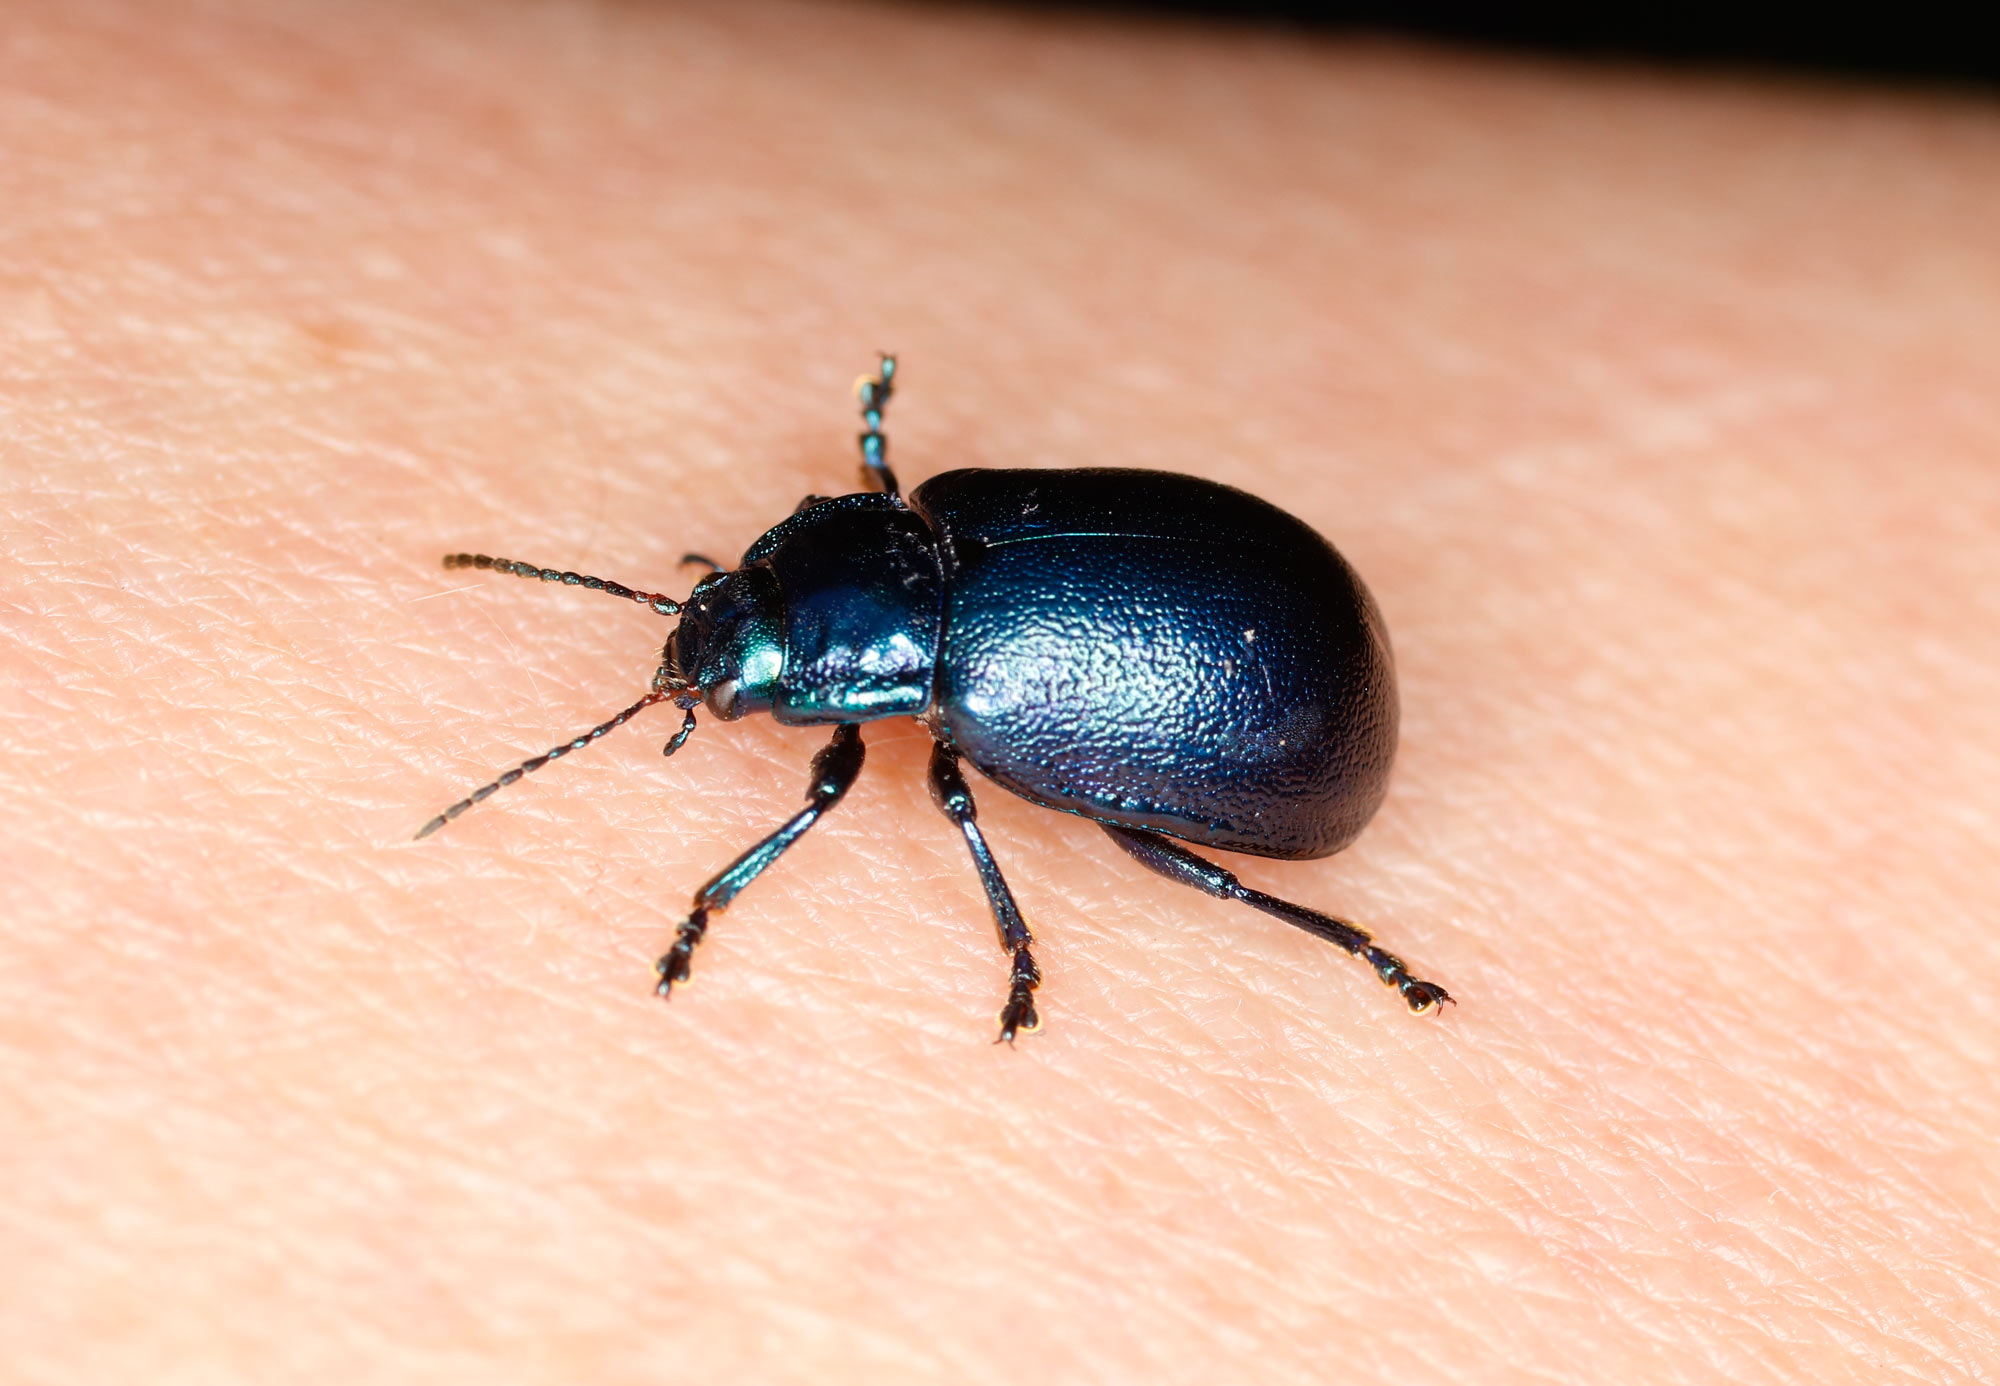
(1915, 43)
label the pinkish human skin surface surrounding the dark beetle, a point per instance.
(1661, 415)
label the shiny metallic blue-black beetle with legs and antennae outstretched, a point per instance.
(1173, 659)
